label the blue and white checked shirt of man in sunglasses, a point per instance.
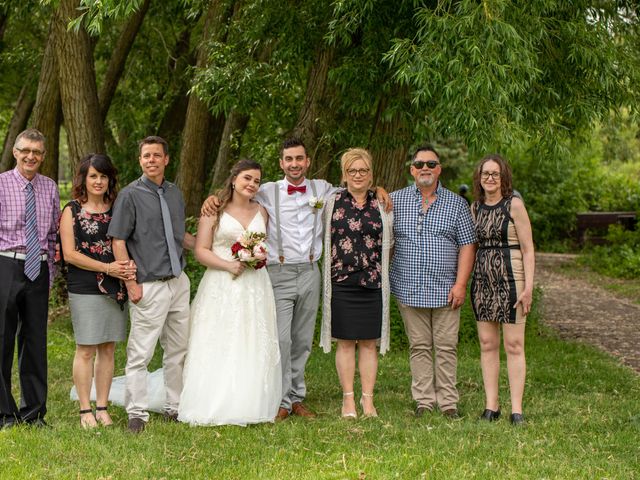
(425, 262)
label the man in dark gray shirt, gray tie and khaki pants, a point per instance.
(159, 306)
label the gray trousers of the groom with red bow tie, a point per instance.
(296, 288)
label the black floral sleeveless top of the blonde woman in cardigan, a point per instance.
(356, 239)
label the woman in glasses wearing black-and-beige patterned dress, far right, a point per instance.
(502, 286)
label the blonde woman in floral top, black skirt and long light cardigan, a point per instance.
(356, 280)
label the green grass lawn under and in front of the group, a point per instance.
(582, 410)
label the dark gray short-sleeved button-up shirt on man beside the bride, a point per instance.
(137, 218)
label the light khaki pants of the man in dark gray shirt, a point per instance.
(161, 314)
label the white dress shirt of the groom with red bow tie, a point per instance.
(296, 220)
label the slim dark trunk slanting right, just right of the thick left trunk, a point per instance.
(119, 58)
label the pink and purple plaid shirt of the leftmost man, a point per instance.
(12, 213)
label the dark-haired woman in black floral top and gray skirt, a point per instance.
(97, 297)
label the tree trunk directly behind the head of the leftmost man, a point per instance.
(47, 113)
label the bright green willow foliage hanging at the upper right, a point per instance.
(500, 72)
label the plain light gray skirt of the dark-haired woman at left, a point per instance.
(97, 319)
